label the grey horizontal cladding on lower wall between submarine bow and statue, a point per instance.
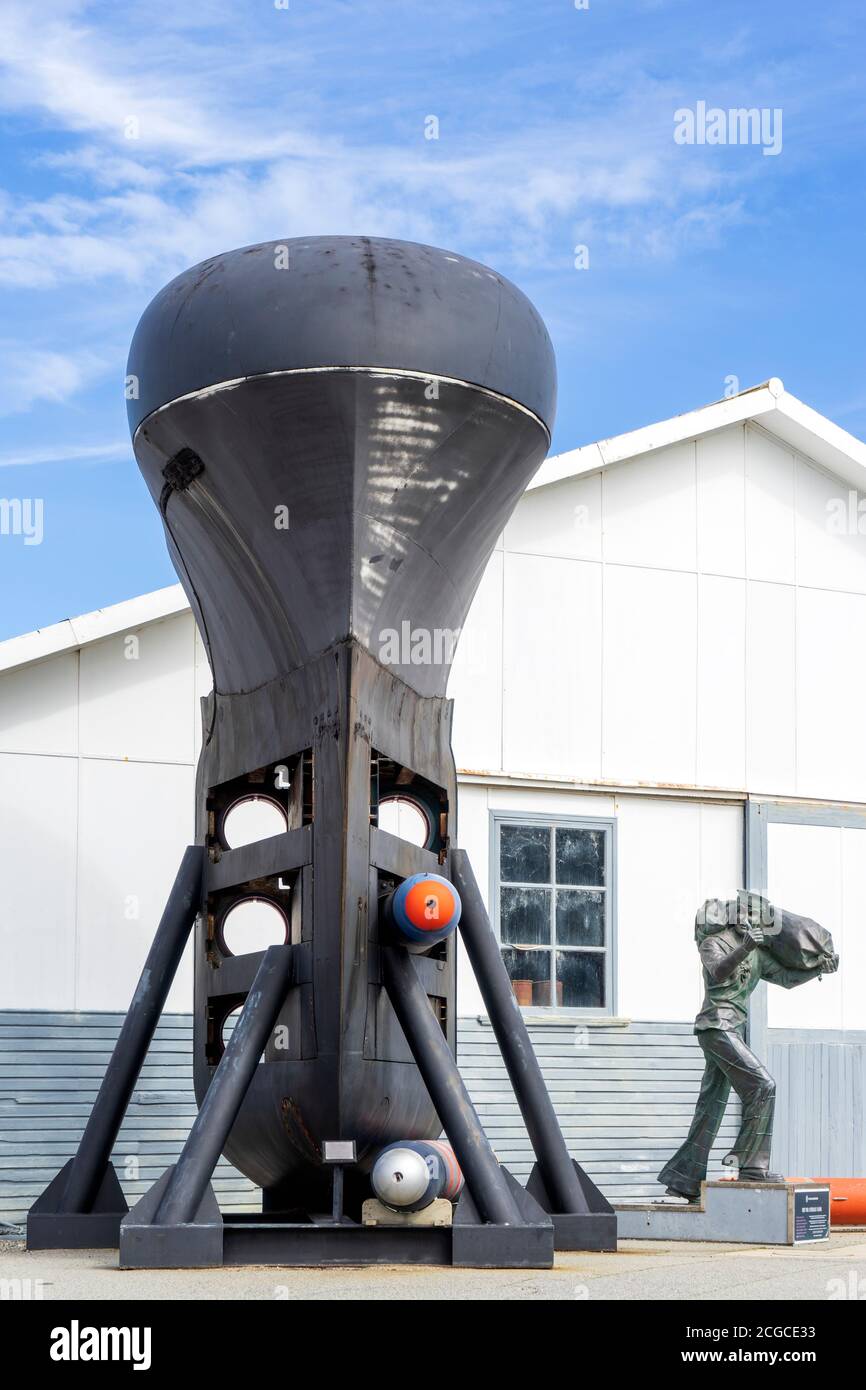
(625, 1097)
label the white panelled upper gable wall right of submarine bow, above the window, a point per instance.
(730, 504)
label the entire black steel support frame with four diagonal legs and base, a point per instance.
(179, 1223)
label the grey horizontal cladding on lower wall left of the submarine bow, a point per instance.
(51, 1068)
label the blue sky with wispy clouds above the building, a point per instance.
(138, 140)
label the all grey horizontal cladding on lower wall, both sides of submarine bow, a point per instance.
(625, 1097)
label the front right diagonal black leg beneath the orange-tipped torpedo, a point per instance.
(486, 1179)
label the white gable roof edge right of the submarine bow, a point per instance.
(778, 412)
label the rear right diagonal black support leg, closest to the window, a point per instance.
(554, 1161)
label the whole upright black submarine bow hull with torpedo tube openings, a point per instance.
(334, 452)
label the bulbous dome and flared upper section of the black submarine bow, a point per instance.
(336, 430)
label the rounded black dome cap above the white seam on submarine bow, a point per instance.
(341, 302)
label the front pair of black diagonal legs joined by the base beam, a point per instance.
(179, 1223)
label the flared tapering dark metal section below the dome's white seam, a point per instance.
(393, 505)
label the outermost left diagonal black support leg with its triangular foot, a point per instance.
(84, 1204)
